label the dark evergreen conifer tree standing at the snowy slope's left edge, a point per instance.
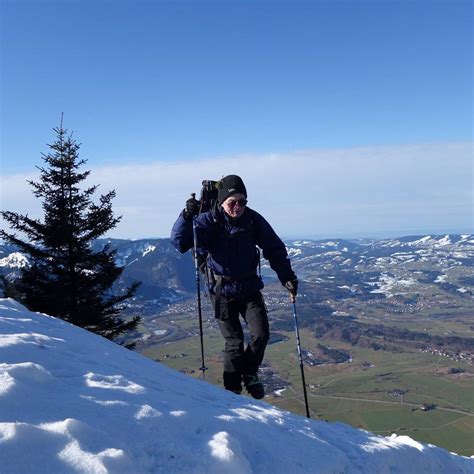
(67, 279)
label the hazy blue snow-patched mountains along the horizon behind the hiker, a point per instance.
(339, 268)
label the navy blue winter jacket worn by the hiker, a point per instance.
(230, 246)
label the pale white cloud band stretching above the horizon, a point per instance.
(372, 190)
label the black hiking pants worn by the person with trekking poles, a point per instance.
(237, 360)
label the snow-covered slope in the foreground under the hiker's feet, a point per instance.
(71, 401)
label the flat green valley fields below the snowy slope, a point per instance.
(354, 394)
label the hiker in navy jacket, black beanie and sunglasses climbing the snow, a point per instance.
(226, 239)
